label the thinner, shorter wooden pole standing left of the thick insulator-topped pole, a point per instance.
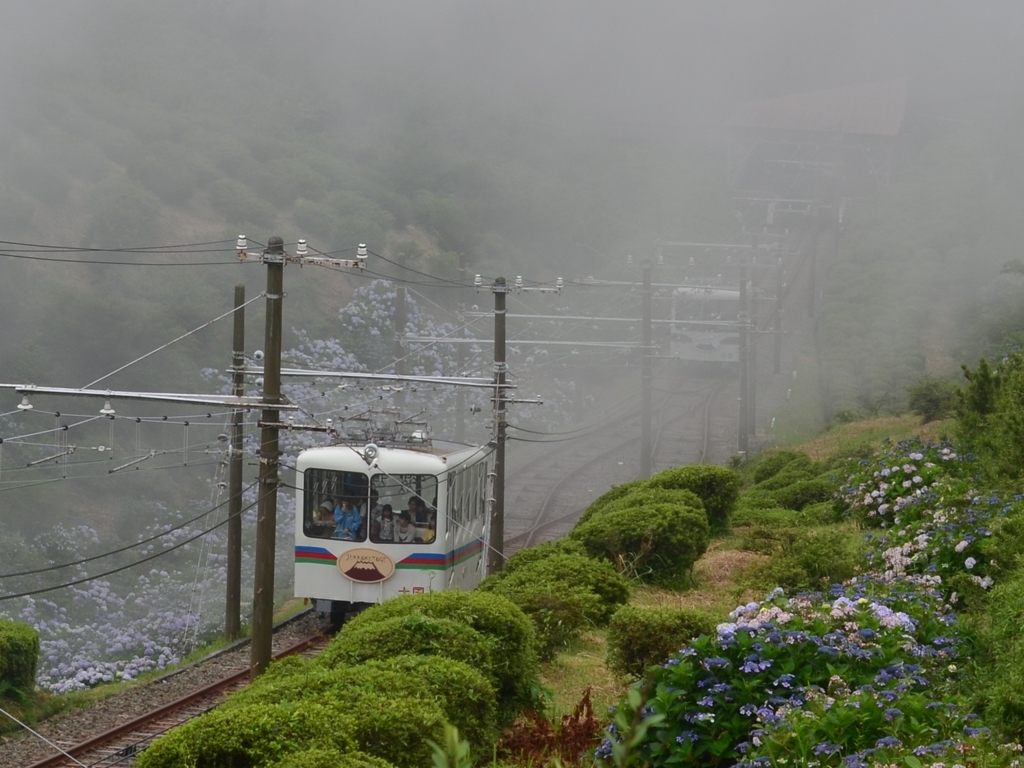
(233, 619)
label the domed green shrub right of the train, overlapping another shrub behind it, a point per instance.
(660, 543)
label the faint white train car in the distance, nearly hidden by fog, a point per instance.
(701, 332)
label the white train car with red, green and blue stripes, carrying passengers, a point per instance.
(374, 523)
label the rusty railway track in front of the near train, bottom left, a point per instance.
(120, 745)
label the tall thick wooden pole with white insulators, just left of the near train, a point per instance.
(267, 523)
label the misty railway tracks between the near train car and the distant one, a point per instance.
(554, 489)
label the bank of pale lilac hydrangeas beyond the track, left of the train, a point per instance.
(142, 619)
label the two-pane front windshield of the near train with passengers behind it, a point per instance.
(382, 509)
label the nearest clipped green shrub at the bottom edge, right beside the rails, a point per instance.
(257, 736)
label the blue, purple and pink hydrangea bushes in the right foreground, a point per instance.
(864, 674)
